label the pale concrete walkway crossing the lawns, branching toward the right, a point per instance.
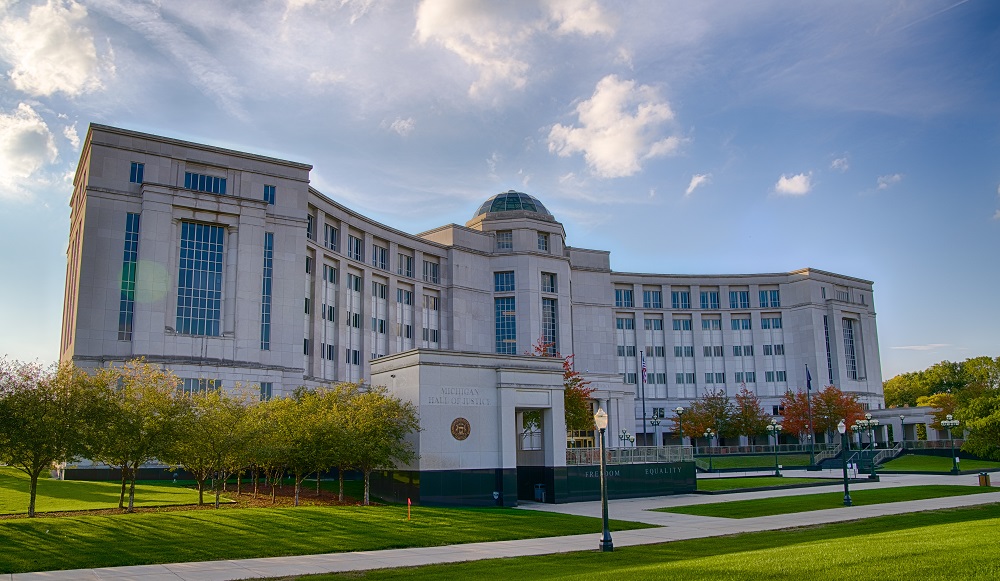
(670, 527)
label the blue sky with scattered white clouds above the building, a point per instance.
(698, 137)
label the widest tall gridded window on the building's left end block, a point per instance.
(199, 287)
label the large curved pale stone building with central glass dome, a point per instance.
(227, 267)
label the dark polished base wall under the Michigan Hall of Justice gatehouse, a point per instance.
(564, 484)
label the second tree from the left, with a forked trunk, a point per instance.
(139, 411)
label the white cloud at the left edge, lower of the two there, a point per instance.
(26, 146)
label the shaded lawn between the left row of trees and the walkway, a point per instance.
(88, 541)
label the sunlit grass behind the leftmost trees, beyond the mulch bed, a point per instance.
(67, 495)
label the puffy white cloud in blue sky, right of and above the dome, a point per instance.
(619, 128)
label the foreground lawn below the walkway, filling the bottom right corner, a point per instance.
(939, 545)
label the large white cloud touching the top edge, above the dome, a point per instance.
(495, 37)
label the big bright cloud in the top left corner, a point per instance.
(51, 51)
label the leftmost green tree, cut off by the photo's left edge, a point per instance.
(45, 418)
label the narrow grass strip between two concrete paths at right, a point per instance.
(808, 502)
